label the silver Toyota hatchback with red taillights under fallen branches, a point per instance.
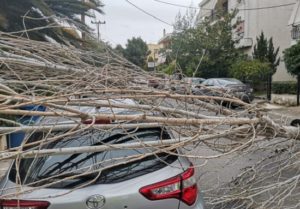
(163, 181)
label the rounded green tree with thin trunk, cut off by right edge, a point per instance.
(292, 63)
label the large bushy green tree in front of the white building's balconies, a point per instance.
(207, 49)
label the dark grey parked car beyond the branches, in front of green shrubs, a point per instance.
(232, 86)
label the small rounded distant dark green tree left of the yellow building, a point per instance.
(136, 51)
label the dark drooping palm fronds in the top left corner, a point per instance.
(36, 15)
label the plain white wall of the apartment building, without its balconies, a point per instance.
(273, 22)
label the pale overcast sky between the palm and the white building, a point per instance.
(123, 21)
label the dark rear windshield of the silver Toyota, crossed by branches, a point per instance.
(40, 171)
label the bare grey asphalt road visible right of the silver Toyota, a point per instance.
(217, 173)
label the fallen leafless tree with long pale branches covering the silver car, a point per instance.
(83, 87)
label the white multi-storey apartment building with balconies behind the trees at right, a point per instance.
(254, 16)
